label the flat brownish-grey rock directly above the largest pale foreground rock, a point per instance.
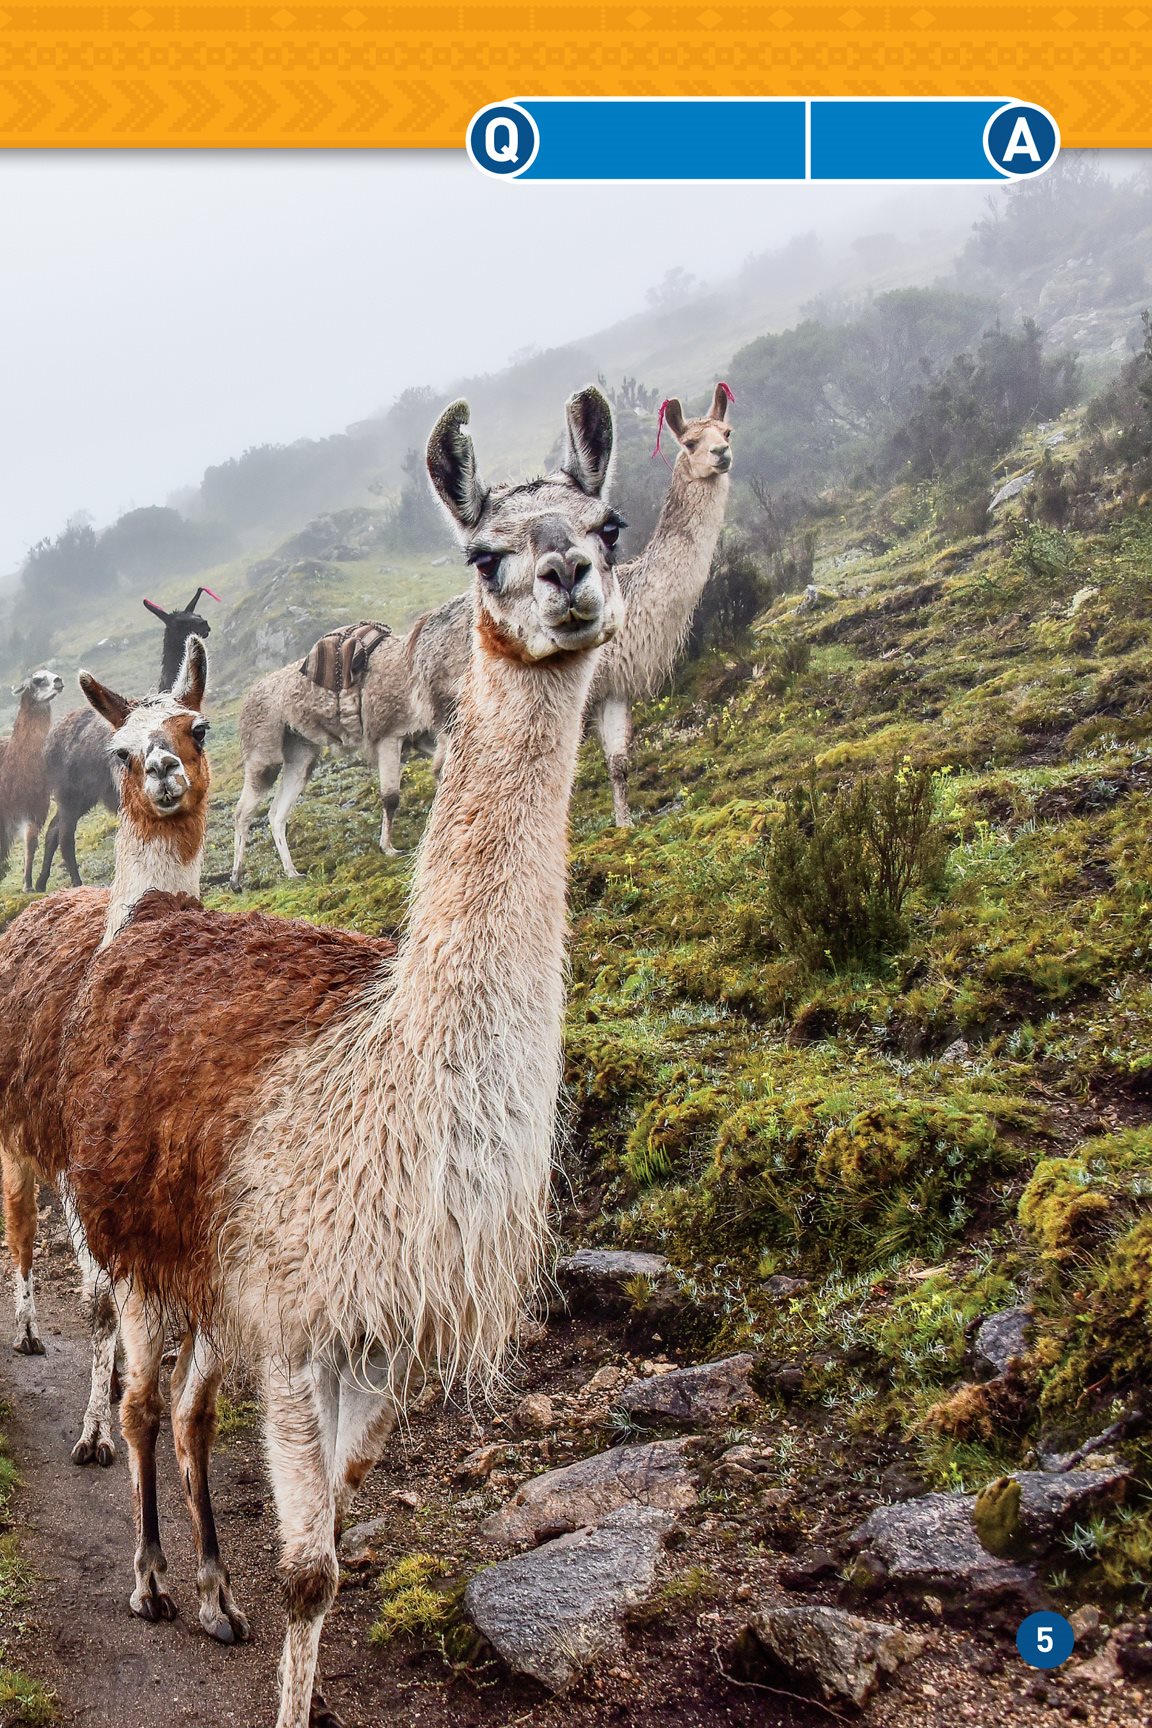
(588, 1492)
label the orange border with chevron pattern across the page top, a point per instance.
(410, 77)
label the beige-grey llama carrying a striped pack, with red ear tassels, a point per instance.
(414, 682)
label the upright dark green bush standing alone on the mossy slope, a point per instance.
(844, 865)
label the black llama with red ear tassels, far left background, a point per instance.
(77, 756)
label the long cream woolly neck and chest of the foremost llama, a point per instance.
(446, 1133)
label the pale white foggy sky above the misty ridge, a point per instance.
(167, 310)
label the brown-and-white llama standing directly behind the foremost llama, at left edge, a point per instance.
(158, 754)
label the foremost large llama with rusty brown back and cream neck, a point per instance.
(339, 1169)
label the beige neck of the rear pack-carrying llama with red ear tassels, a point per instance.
(664, 585)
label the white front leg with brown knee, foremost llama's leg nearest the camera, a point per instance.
(300, 1430)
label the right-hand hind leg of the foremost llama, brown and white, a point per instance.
(196, 1385)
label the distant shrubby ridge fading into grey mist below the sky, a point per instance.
(839, 346)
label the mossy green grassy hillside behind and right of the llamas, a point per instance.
(932, 1107)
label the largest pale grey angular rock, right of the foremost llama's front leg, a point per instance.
(557, 1610)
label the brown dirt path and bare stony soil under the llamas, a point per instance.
(110, 1670)
